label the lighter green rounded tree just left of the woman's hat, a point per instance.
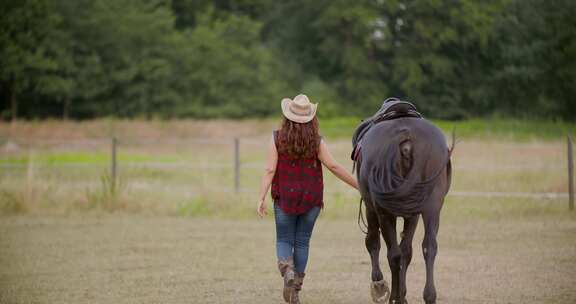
(228, 71)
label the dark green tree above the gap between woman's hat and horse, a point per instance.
(335, 43)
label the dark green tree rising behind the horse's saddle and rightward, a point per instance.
(435, 52)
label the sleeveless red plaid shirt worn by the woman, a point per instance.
(297, 185)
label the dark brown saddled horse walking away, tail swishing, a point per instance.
(404, 170)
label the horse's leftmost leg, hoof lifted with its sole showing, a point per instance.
(378, 288)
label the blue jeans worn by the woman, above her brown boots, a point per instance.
(293, 234)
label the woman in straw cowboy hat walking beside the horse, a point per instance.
(294, 170)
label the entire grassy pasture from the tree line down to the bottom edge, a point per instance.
(175, 231)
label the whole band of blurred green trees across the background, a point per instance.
(237, 58)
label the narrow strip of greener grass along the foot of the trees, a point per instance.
(491, 129)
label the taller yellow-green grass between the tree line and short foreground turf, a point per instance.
(186, 167)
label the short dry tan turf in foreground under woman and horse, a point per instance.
(136, 259)
